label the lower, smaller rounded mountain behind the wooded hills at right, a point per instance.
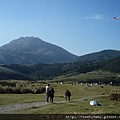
(105, 54)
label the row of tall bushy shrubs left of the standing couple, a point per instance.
(20, 87)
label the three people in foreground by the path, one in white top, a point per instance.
(50, 94)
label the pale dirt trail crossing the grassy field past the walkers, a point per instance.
(37, 104)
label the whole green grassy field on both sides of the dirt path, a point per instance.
(72, 107)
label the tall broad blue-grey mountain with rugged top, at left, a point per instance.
(32, 50)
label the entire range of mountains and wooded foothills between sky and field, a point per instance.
(30, 58)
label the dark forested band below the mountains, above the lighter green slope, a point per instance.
(49, 71)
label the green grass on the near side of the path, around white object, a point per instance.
(81, 107)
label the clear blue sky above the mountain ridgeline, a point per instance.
(79, 26)
